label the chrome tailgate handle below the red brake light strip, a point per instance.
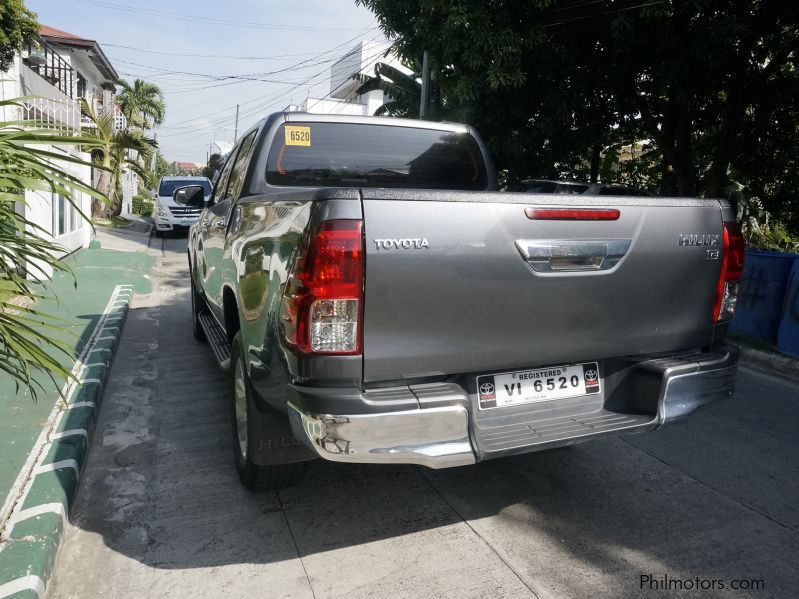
(557, 255)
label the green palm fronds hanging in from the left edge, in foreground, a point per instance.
(27, 345)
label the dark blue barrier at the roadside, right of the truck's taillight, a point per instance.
(768, 304)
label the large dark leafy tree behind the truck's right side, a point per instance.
(554, 85)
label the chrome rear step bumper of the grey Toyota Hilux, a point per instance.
(435, 433)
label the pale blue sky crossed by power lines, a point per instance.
(207, 57)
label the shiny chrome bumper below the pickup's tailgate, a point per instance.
(430, 424)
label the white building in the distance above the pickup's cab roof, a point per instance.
(343, 97)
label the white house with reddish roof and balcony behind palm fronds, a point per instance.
(58, 73)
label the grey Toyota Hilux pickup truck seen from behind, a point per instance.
(376, 299)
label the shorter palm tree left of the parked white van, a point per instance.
(115, 150)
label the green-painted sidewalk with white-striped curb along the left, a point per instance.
(93, 314)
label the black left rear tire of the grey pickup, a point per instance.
(253, 476)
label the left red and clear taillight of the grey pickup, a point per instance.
(323, 300)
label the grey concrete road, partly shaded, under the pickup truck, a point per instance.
(160, 512)
